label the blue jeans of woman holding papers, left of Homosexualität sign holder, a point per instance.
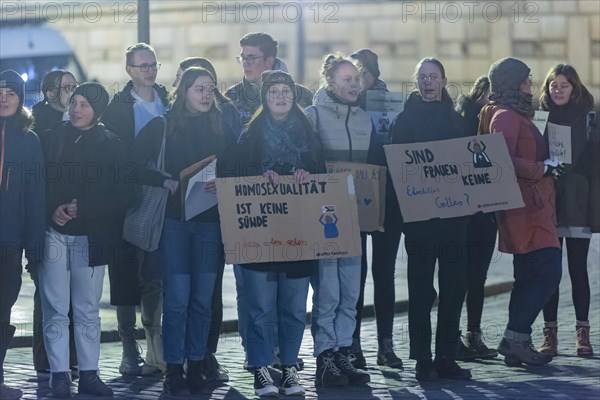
(189, 253)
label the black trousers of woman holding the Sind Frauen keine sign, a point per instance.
(444, 242)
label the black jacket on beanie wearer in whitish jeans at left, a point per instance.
(91, 167)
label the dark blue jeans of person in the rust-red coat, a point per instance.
(537, 275)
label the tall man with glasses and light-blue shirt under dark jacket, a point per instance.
(129, 111)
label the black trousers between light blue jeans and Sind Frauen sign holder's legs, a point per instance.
(383, 267)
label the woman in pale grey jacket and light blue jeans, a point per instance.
(346, 133)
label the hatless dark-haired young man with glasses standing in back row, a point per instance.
(258, 54)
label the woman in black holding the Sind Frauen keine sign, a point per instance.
(429, 116)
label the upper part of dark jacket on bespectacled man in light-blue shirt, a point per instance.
(119, 117)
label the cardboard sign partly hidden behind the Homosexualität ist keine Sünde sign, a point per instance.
(369, 181)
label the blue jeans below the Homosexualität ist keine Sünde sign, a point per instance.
(276, 305)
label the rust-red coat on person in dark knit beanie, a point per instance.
(532, 227)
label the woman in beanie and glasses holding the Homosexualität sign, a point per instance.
(279, 144)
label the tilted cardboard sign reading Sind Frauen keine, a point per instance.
(452, 178)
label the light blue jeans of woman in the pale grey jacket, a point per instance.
(336, 285)
